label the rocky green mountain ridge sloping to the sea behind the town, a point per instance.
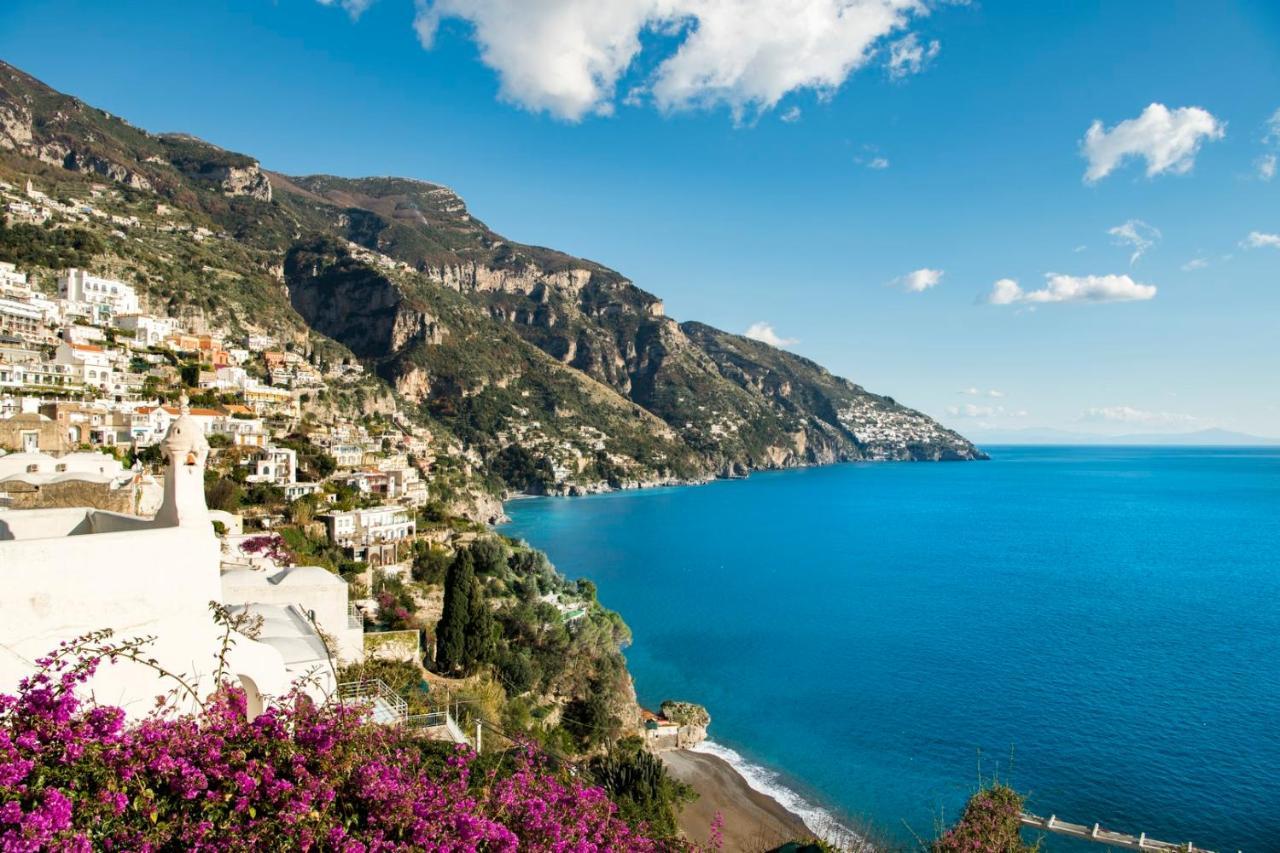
(556, 373)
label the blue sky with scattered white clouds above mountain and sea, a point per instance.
(797, 171)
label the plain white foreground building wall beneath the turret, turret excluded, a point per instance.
(61, 587)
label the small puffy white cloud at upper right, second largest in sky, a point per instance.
(1168, 140)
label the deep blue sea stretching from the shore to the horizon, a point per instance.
(1112, 615)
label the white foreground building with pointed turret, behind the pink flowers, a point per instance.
(70, 572)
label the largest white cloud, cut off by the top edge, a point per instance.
(566, 57)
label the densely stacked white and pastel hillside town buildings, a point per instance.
(188, 446)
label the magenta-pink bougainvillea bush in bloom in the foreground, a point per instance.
(79, 777)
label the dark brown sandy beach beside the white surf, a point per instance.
(753, 822)
